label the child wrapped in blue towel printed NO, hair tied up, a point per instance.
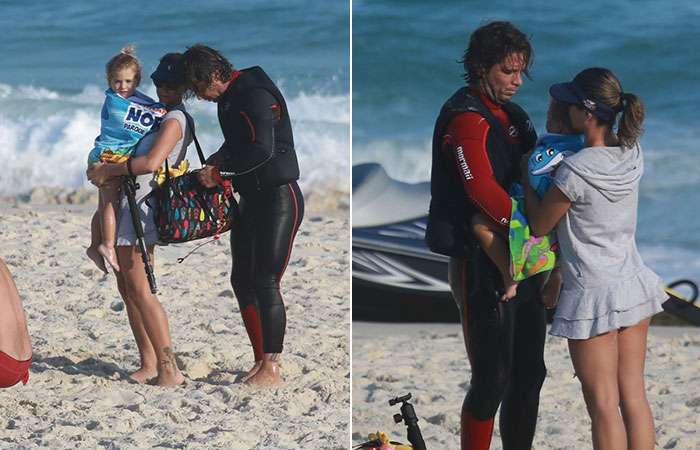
(127, 115)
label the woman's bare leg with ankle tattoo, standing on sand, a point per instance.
(153, 317)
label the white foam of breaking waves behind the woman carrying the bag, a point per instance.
(46, 136)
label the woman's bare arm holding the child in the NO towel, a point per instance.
(170, 133)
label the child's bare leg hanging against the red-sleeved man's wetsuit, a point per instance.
(496, 247)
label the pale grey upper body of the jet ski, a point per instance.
(379, 200)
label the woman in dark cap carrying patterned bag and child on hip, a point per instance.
(147, 317)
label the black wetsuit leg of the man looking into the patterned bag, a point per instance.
(261, 244)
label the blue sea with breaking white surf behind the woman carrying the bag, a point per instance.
(52, 78)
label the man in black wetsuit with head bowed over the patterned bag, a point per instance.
(258, 159)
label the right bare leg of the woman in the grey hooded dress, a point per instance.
(639, 422)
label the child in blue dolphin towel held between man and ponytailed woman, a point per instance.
(560, 140)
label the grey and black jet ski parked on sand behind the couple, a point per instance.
(394, 275)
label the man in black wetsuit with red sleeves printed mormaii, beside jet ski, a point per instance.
(479, 139)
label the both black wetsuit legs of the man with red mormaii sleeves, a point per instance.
(505, 344)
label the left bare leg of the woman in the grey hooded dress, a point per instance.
(595, 362)
